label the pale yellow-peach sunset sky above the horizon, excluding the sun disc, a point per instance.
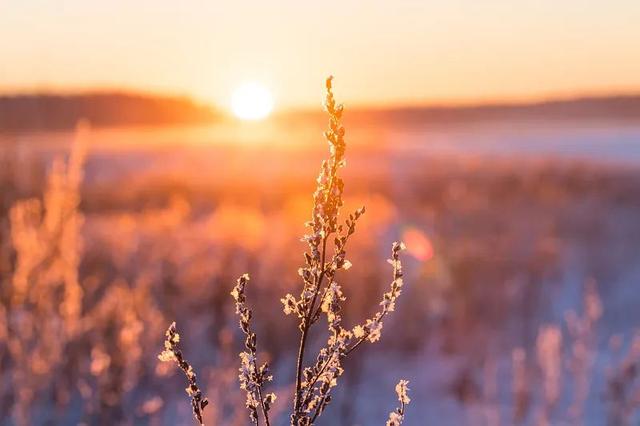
(381, 52)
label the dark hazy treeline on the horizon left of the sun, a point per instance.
(52, 112)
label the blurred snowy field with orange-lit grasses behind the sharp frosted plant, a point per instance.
(520, 221)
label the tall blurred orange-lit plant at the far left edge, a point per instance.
(43, 315)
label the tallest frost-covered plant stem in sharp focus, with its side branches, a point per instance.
(321, 294)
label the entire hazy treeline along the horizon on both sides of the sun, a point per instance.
(50, 112)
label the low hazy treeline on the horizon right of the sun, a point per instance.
(588, 108)
